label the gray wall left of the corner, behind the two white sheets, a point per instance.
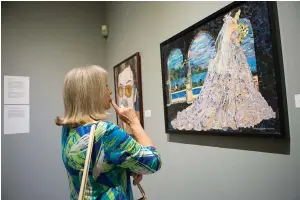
(44, 40)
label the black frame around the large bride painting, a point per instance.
(282, 110)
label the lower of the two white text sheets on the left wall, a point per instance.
(16, 119)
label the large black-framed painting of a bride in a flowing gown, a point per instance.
(224, 75)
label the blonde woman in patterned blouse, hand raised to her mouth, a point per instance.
(116, 155)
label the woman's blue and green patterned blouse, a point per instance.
(116, 155)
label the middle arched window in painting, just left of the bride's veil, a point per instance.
(201, 51)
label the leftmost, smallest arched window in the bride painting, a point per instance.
(176, 76)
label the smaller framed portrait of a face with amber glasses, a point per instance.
(128, 87)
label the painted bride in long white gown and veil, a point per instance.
(228, 98)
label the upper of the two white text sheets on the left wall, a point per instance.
(16, 90)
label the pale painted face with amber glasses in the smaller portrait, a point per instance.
(125, 88)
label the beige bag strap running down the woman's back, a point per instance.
(87, 163)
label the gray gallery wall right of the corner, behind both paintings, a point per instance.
(209, 168)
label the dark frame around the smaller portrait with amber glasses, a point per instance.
(138, 82)
